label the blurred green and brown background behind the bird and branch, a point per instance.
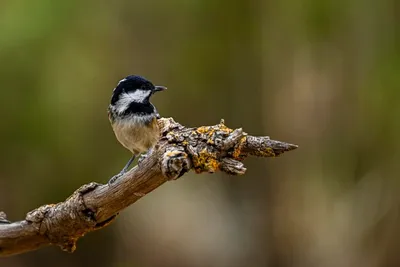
(321, 74)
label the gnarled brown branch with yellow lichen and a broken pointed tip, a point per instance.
(93, 206)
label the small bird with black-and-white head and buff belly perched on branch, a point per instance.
(133, 118)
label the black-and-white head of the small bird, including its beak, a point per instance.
(134, 88)
